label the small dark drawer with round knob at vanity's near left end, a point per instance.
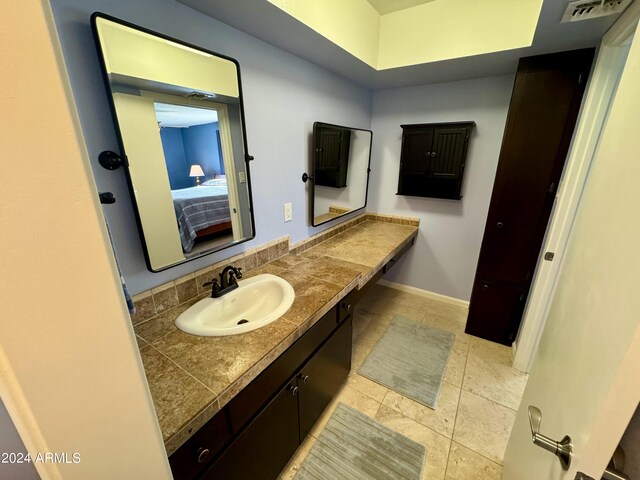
(200, 449)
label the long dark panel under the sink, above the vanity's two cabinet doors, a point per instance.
(255, 395)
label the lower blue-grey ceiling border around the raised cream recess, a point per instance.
(262, 19)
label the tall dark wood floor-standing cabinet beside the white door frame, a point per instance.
(544, 106)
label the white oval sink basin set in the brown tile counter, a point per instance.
(259, 300)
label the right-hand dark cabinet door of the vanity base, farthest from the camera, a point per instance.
(323, 375)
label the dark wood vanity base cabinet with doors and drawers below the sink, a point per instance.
(256, 433)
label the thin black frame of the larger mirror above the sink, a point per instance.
(247, 158)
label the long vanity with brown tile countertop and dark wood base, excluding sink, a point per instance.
(266, 389)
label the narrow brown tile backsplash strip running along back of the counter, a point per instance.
(184, 289)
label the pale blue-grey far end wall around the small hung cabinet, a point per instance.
(445, 256)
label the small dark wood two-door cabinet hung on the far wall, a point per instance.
(433, 158)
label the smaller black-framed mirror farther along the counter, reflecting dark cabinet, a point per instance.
(341, 158)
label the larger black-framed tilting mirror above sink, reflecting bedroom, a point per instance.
(179, 117)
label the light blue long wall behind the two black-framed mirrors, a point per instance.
(283, 96)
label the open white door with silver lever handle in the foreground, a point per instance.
(586, 376)
